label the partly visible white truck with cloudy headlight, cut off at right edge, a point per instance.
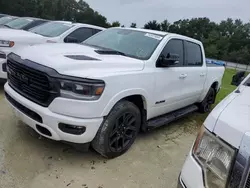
(220, 156)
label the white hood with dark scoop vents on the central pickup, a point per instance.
(79, 60)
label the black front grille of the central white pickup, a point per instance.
(31, 83)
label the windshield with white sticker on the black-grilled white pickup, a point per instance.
(136, 44)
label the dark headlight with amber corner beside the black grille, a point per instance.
(81, 91)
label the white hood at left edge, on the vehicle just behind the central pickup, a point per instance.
(19, 35)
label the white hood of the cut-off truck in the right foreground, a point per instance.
(230, 120)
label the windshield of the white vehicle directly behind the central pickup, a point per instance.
(51, 29)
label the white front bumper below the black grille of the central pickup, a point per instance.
(50, 120)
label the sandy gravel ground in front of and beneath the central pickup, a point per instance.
(28, 160)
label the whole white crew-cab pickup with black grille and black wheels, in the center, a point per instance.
(114, 84)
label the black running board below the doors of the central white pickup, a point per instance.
(172, 116)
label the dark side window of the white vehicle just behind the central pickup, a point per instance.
(81, 34)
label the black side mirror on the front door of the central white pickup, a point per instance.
(169, 60)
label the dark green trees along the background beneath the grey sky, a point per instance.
(228, 40)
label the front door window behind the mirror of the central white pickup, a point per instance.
(175, 46)
